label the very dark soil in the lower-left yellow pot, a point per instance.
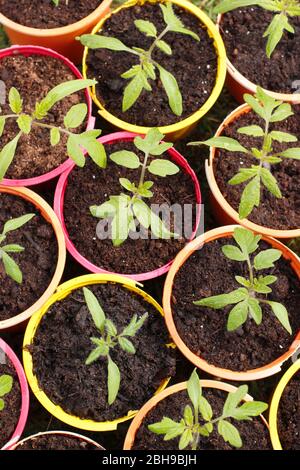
(62, 344)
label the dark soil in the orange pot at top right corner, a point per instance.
(242, 31)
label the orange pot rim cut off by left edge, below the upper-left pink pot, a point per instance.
(47, 212)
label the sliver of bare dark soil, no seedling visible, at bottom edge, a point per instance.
(56, 442)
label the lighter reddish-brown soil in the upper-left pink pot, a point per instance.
(34, 76)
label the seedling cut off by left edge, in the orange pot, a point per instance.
(10, 266)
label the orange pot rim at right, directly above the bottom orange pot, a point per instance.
(253, 374)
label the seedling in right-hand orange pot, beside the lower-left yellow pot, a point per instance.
(247, 299)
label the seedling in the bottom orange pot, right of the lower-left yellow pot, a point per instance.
(198, 419)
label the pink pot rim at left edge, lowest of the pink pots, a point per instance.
(24, 394)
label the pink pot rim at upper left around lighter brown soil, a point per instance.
(41, 181)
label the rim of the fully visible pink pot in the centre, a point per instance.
(59, 206)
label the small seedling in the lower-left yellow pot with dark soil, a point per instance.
(108, 339)
